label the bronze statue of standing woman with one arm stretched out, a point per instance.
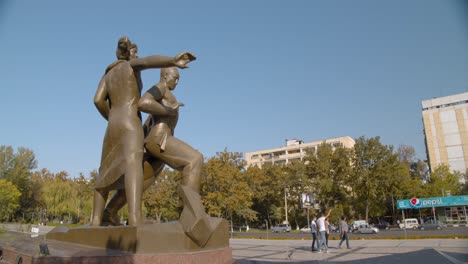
(117, 99)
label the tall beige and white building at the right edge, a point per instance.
(446, 131)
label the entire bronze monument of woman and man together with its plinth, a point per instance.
(133, 155)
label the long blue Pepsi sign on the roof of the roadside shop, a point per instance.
(447, 201)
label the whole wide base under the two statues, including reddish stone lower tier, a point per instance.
(150, 243)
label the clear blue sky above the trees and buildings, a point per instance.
(266, 70)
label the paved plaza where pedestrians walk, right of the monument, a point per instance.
(427, 251)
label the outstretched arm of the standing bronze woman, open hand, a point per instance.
(157, 61)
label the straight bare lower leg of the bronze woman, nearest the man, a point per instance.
(134, 187)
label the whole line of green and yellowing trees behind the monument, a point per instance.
(362, 183)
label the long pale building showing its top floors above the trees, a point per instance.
(294, 150)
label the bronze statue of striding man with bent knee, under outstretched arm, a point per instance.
(162, 106)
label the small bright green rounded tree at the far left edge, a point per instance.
(9, 200)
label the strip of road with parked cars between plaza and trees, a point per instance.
(449, 232)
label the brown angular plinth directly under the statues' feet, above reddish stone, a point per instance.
(148, 238)
